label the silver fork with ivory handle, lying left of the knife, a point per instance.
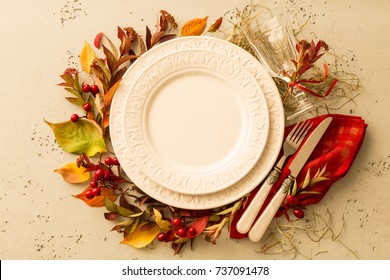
(291, 144)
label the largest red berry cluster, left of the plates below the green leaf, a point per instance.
(103, 177)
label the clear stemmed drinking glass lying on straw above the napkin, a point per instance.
(270, 36)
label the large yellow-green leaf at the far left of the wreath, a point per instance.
(83, 136)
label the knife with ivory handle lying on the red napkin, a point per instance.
(259, 227)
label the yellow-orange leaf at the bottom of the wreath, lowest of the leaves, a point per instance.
(143, 235)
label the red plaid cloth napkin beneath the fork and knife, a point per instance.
(335, 152)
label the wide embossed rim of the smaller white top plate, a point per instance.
(236, 168)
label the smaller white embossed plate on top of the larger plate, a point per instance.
(195, 121)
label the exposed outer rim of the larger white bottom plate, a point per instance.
(239, 189)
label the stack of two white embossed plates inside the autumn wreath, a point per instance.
(197, 122)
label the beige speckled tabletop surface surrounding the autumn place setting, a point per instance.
(39, 39)
